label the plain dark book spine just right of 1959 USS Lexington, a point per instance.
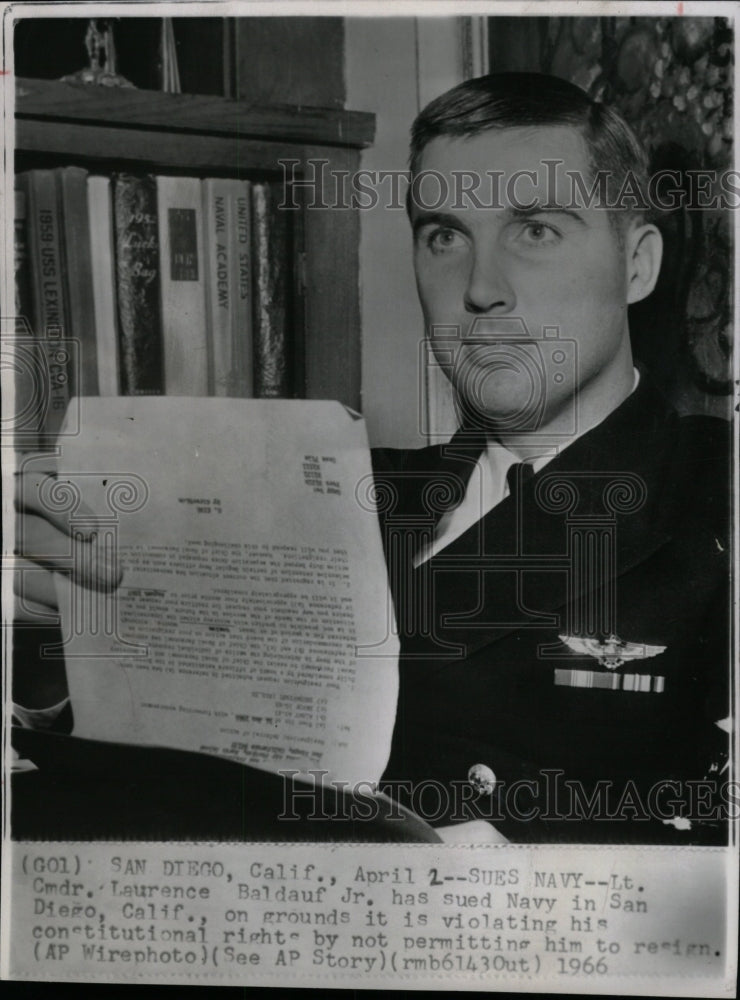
(77, 269)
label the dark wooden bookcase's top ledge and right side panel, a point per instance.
(149, 131)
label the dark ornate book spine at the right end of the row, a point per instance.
(269, 257)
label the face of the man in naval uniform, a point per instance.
(551, 267)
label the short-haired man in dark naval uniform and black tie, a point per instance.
(559, 569)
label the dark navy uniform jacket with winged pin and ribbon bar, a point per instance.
(624, 535)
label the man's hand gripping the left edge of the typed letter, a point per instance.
(47, 542)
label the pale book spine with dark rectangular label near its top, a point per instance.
(183, 289)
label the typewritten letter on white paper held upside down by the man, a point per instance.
(268, 640)
